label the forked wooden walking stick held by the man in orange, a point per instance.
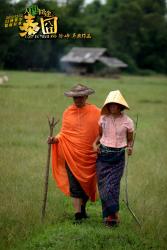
(52, 124)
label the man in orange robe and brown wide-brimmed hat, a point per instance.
(73, 157)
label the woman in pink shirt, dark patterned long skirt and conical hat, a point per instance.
(116, 134)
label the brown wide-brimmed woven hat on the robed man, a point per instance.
(79, 90)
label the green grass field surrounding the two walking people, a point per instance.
(25, 102)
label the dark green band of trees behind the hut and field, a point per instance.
(132, 30)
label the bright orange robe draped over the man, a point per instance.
(79, 130)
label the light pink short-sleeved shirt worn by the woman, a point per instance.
(115, 130)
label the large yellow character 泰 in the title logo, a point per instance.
(29, 27)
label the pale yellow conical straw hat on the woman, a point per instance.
(114, 97)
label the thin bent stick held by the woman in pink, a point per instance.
(126, 181)
